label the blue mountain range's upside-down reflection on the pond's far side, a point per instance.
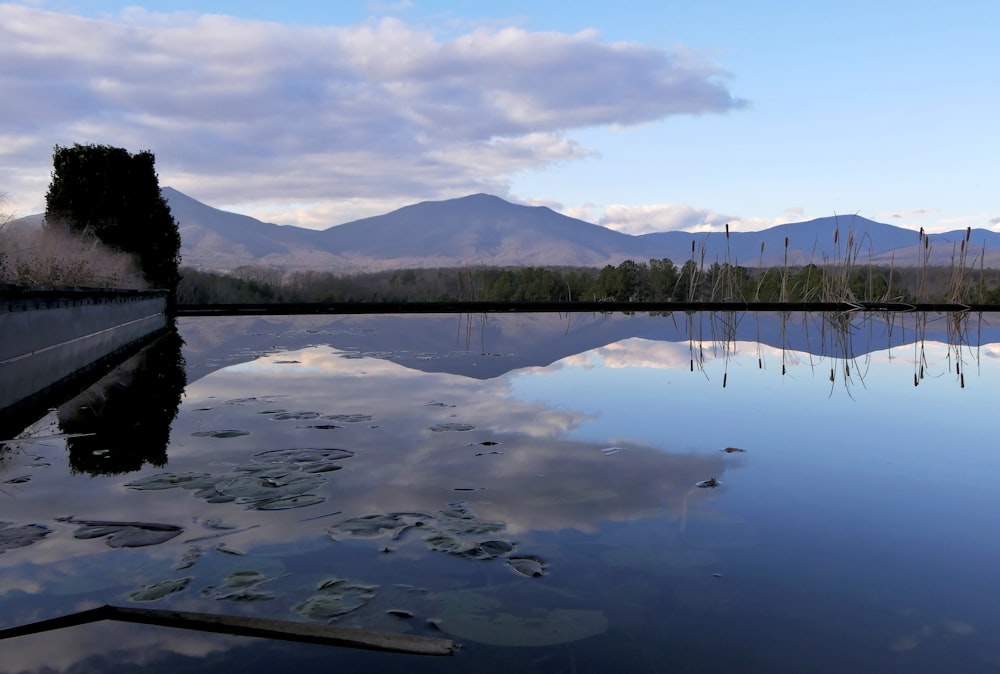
(487, 346)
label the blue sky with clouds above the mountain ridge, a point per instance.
(638, 115)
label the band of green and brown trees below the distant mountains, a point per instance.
(656, 280)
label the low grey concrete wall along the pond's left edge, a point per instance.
(46, 337)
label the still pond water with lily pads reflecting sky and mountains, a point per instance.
(536, 478)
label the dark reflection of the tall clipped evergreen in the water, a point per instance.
(127, 415)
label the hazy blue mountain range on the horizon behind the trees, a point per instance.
(485, 230)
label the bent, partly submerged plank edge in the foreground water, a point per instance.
(331, 635)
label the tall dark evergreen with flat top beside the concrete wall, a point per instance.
(116, 196)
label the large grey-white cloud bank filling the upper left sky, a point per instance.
(251, 112)
